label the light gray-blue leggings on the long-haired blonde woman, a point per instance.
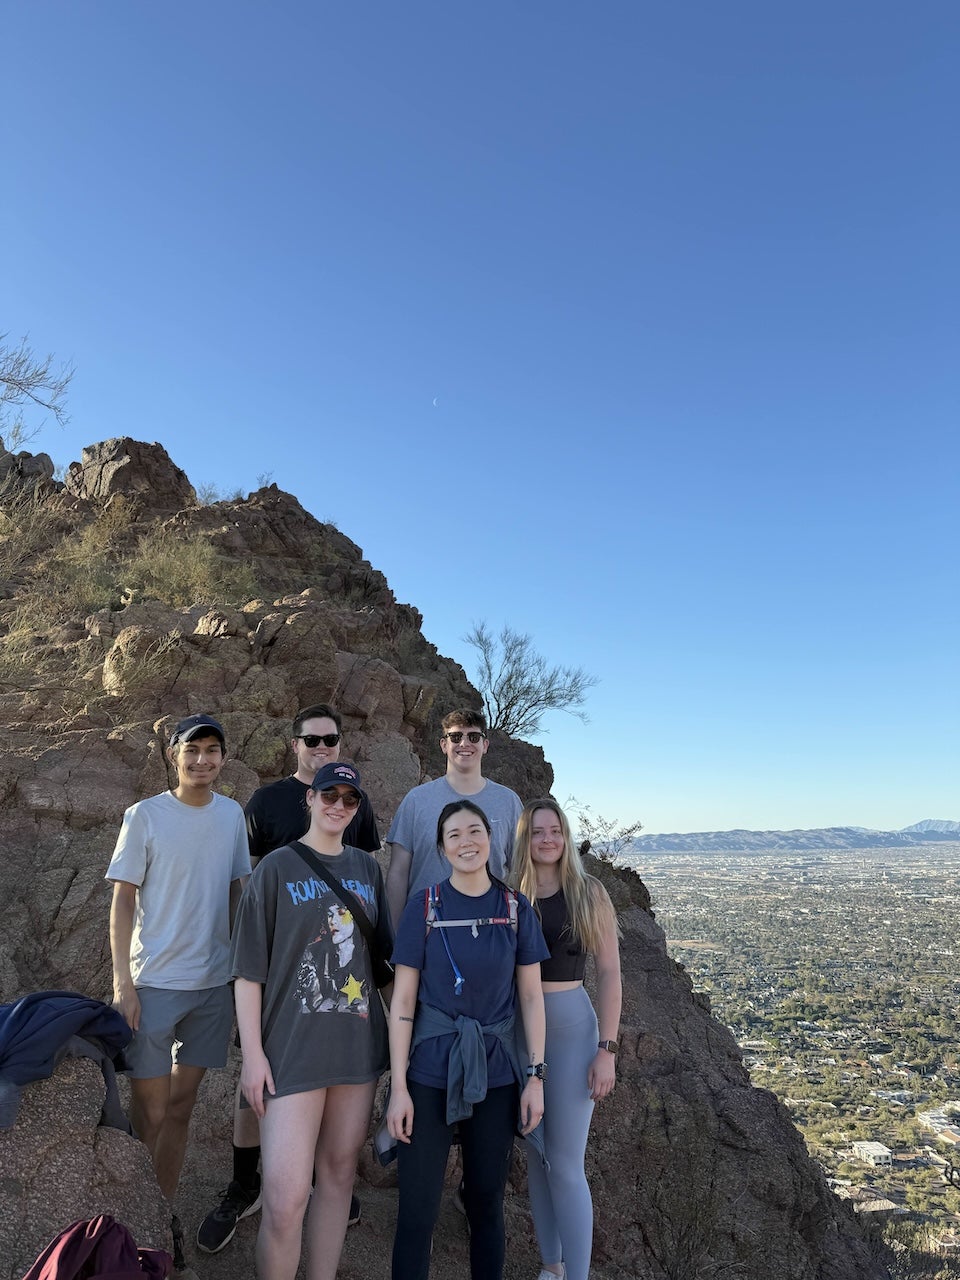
(561, 1204)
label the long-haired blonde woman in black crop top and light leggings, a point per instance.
(578, 920)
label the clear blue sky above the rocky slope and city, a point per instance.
(633, 326)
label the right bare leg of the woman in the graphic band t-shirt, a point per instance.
(344, 1130)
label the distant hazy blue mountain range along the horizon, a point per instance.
(930, 831)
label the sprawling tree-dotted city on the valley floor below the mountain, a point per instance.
(839, 973)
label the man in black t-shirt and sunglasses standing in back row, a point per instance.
(276, 816)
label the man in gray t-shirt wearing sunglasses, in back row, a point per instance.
(415, 861)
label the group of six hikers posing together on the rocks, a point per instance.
(463, 973)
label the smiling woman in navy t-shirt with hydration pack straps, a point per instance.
(468, 954)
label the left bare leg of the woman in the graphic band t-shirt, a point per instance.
(289, 1139)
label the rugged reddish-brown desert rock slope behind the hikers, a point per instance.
(696, 1173)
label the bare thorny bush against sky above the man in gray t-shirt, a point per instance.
(519, 687)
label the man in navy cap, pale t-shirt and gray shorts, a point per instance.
(180, 865)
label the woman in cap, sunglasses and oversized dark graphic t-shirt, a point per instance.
(312, 1027)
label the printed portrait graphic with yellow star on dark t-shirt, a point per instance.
(332, 975)
